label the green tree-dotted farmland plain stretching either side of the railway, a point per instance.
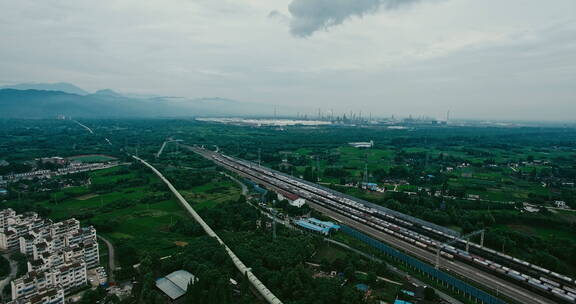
(504, 180)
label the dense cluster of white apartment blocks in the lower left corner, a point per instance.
(59, 256)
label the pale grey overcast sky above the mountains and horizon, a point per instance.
(479, 59)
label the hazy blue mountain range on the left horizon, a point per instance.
(107, 103)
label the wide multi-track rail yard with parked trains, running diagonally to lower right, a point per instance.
(493, 270)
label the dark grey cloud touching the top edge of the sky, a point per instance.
(309, 16)
